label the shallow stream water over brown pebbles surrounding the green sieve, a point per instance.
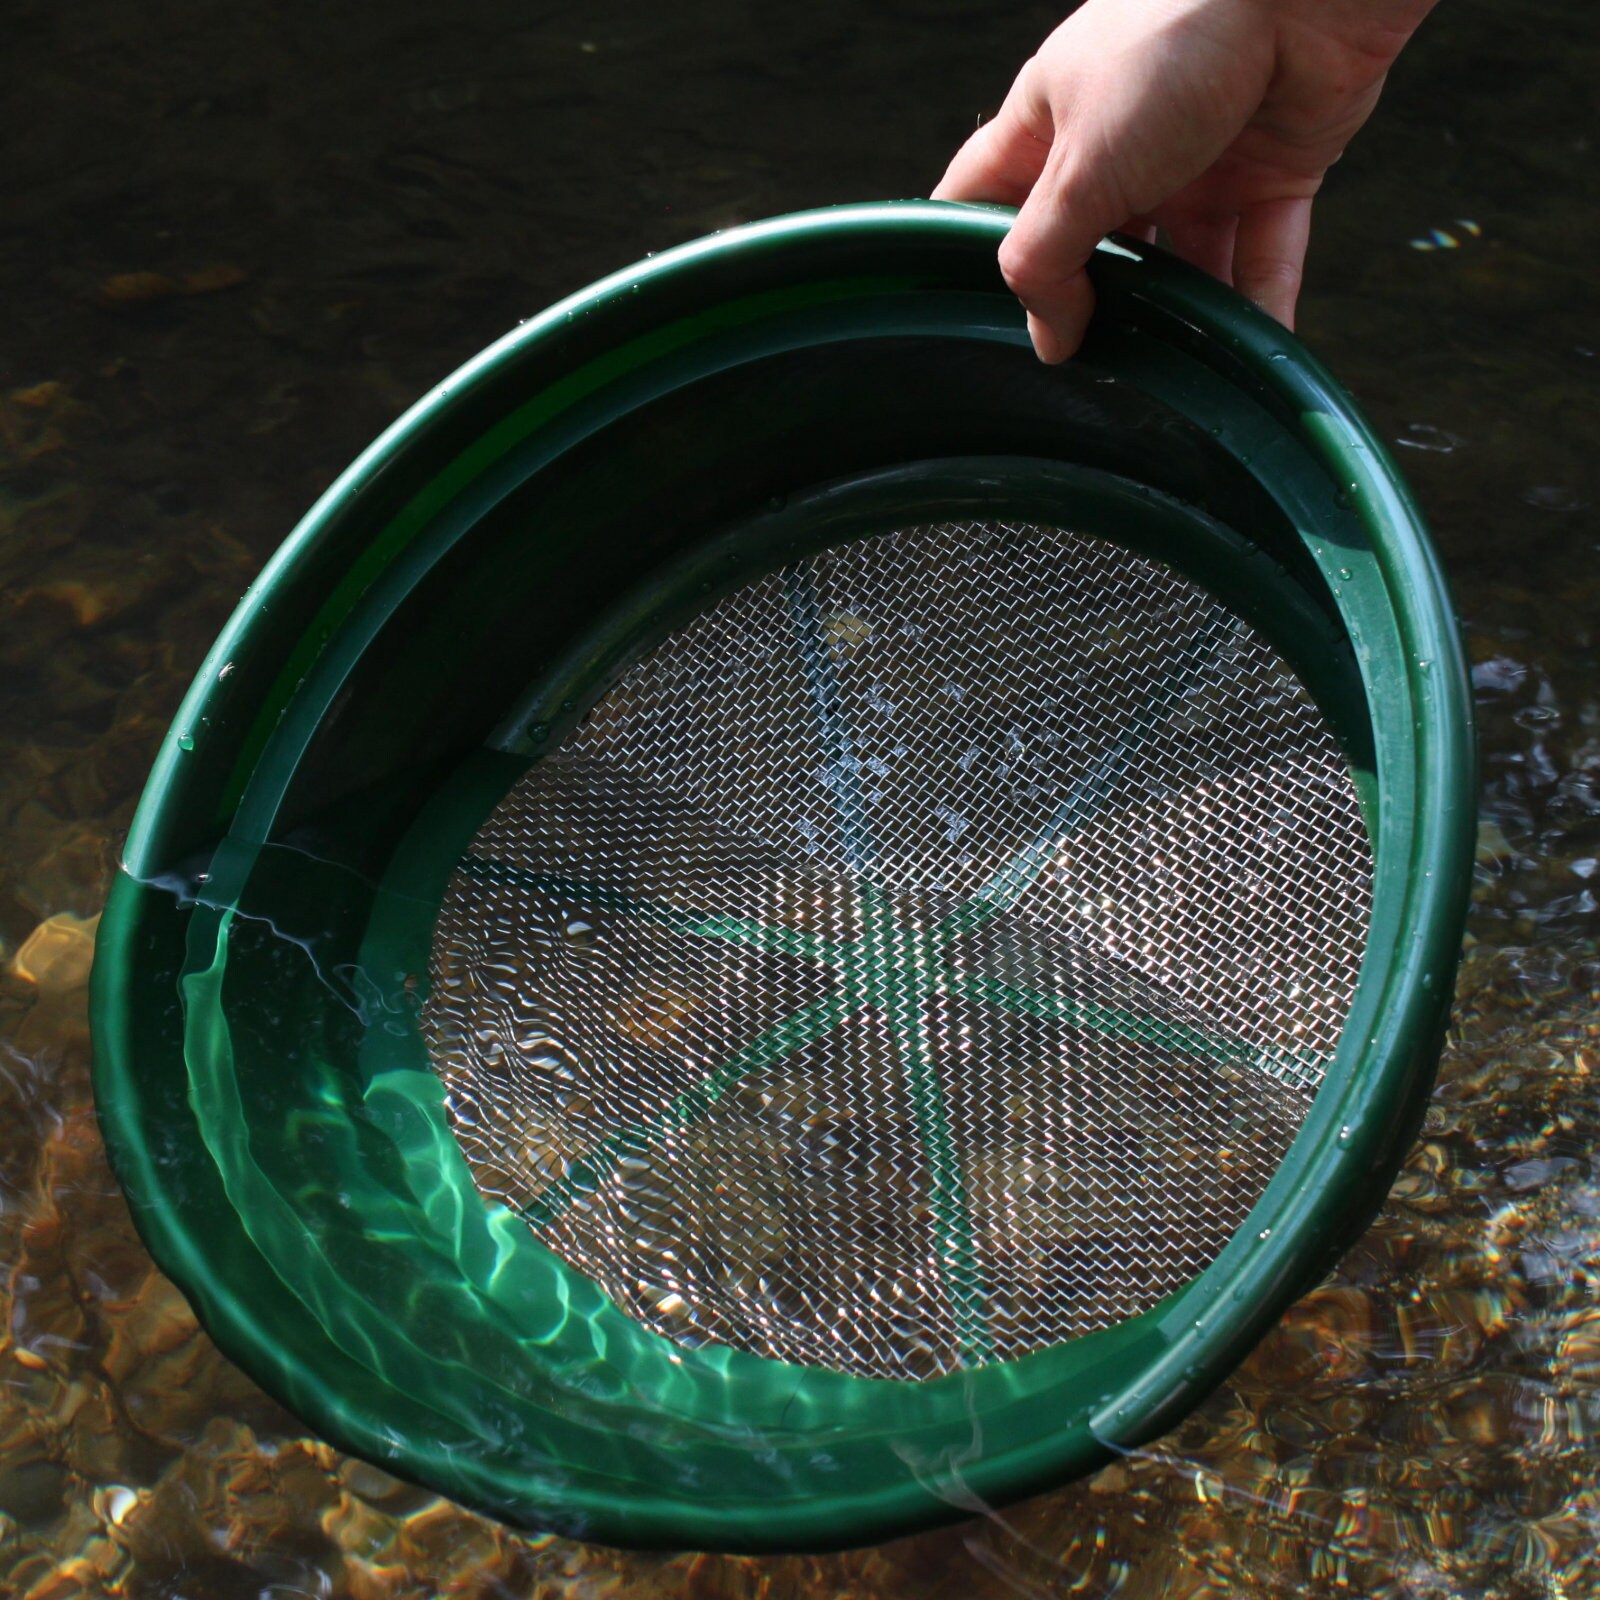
(242, 246)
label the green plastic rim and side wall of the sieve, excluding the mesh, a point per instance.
(260, 1076)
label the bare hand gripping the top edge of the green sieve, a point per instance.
(1214, 119)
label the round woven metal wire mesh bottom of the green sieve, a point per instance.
(922, 958)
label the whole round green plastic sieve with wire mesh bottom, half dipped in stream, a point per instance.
(775, 922)
